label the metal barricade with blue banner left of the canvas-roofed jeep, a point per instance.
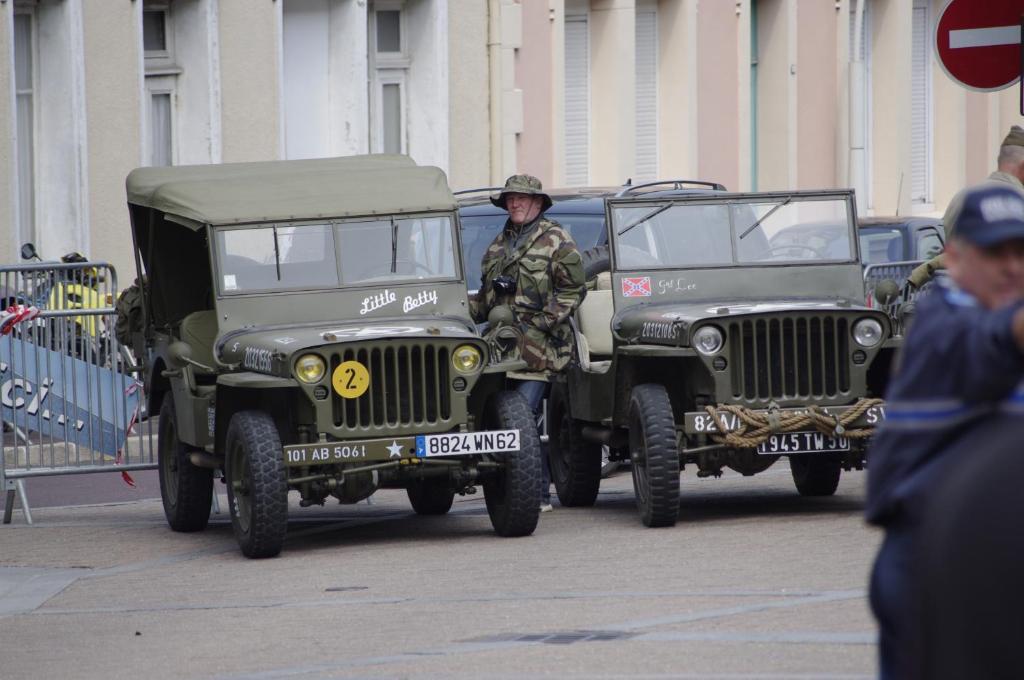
(72, 400)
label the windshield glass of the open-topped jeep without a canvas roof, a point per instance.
(765, 232)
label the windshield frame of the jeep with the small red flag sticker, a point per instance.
(731, 200)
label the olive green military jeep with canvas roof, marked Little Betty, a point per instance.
(308, 329)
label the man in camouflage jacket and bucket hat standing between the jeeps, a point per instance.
(539, 260)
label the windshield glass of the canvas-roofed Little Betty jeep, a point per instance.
(328, 256)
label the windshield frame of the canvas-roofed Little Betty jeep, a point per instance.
(334, 224)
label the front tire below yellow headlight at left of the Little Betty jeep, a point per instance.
(258, 488)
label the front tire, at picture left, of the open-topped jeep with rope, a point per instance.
(655, 455)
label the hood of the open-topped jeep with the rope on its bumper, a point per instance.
(670, 323)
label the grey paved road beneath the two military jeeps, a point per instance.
(754, 582)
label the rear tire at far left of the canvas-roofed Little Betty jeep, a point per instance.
(186, 490)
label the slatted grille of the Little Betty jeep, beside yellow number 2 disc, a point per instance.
(409, 387)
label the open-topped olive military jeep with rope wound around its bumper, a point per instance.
(728, 330)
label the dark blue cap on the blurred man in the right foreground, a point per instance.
(992, 216)
